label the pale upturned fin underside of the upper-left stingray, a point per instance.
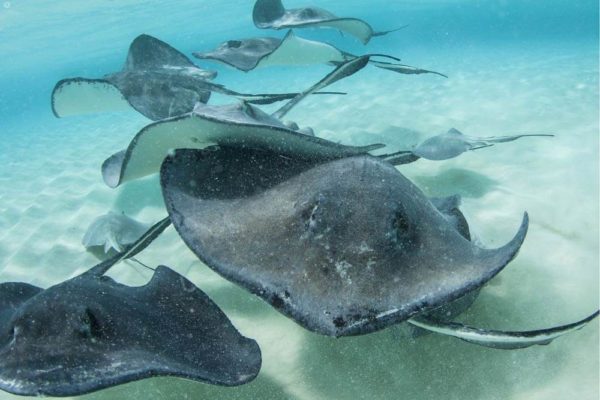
(76, 96)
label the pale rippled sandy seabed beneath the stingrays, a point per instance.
(52, 190)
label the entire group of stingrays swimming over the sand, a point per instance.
(331, 236)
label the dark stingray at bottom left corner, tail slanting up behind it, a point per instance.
(91, 332)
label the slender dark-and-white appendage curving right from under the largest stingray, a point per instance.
(506, 340)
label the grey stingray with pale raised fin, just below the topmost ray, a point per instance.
(249, 54)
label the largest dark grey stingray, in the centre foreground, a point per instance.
(343, 247)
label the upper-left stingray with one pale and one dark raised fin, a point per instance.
(157, 81)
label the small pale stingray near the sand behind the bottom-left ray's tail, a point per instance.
(113, 231)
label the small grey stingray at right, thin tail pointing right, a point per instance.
(453, 143)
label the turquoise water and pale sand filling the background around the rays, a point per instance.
(513, 66)
